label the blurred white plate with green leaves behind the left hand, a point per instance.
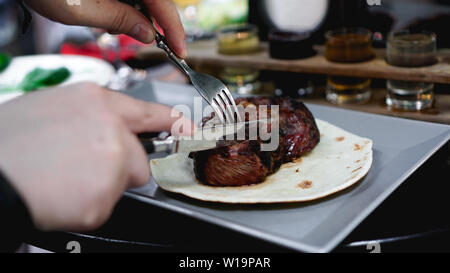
(82, 69)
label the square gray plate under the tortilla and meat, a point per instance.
(400, 147)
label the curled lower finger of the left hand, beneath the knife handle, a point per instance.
(138, 167)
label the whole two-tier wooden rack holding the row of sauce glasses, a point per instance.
(204, 54)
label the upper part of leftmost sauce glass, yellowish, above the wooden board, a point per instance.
(238, 39)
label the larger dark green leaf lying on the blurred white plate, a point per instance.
(41, 78)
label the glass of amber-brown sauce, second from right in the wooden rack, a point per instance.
(348, 45)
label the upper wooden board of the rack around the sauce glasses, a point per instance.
(205, 53)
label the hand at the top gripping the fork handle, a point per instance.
(117, 17)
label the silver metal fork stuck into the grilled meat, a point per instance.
(210, 88)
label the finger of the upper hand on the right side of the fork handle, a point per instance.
(167, 17)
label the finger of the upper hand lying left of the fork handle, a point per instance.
(117, 17)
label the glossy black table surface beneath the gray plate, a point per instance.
(413, 219)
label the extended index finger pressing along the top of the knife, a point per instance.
(141, 116)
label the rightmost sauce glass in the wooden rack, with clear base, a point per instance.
(410, 49)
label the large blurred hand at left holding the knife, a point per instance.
(70, 152)
